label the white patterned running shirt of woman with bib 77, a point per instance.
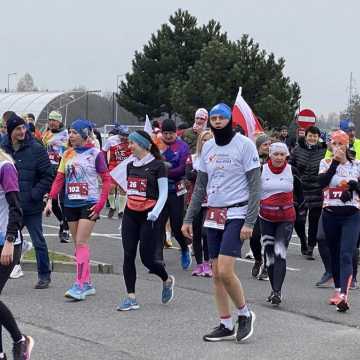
(344, 173)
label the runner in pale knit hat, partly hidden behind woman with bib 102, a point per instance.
(55, 140)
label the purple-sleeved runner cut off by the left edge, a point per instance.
(10, 250)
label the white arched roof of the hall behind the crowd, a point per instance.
(26, 102)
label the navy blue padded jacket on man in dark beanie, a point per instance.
(35, 173)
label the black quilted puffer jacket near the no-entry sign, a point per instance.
(307, 160)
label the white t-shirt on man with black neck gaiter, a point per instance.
(226, 167)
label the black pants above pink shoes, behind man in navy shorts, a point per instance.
(200, 246)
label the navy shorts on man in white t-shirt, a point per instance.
(225, 242)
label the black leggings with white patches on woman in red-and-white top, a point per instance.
(276, 238)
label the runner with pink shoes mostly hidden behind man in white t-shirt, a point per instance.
(200, 247)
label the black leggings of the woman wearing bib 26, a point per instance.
(135, 228)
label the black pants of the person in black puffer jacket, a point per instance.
(314, 216)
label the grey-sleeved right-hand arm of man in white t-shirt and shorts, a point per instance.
(254, 180)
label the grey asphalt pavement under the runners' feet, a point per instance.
(303, 327)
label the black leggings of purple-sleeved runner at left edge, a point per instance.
(6, 318)
